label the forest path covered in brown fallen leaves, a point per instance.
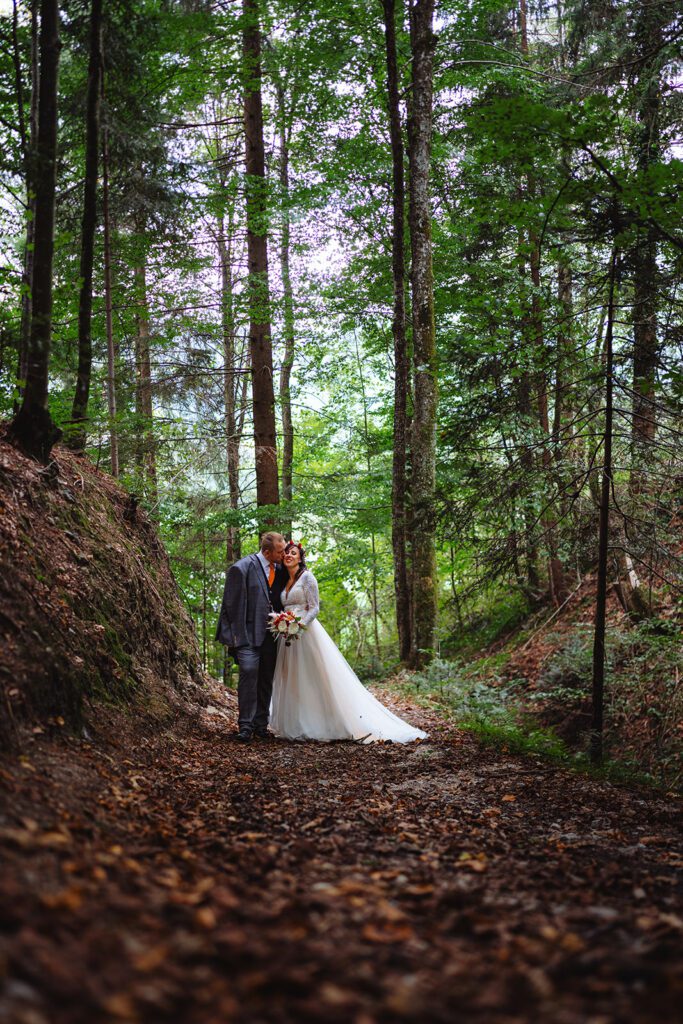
(190, 879)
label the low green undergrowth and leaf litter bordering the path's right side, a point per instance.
(549, 718)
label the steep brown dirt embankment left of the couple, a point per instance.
(91, 617)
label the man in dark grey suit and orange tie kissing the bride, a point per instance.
(253, 589)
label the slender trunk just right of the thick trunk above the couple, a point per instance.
(288, 297)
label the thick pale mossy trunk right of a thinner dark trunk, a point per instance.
(424, 336)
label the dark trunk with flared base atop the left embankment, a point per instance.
(33, 429)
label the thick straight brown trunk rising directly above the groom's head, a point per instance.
(258, 258)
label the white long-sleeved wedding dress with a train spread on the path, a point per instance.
(317, 695)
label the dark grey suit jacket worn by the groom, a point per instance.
(244, 614)
